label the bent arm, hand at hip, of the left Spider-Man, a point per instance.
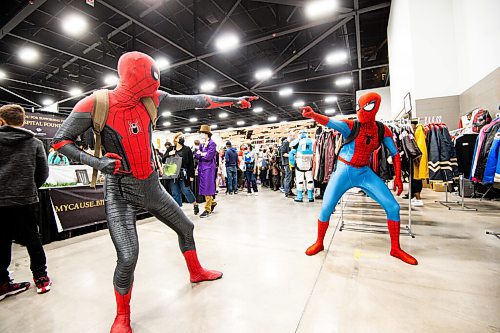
(79, 121)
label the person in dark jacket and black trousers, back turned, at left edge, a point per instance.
(23, 170)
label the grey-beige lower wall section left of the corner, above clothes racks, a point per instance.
(447, 107)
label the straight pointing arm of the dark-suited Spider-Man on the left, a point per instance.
(186, 102)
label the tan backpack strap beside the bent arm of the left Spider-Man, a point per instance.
(99, 118)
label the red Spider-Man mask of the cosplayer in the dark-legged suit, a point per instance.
(139, 75)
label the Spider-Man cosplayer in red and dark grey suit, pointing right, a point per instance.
(131, 180)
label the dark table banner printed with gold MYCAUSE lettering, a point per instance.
(79, 206)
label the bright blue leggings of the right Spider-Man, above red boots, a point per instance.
(346, 177)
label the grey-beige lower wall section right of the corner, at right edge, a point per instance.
(484, 94)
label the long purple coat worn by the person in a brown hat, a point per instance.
(207, 168)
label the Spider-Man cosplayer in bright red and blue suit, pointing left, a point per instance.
(353, 171)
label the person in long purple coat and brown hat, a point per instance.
(207, 169)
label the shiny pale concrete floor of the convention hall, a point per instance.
(269, 284)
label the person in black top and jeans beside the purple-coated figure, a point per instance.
(181, 185)
